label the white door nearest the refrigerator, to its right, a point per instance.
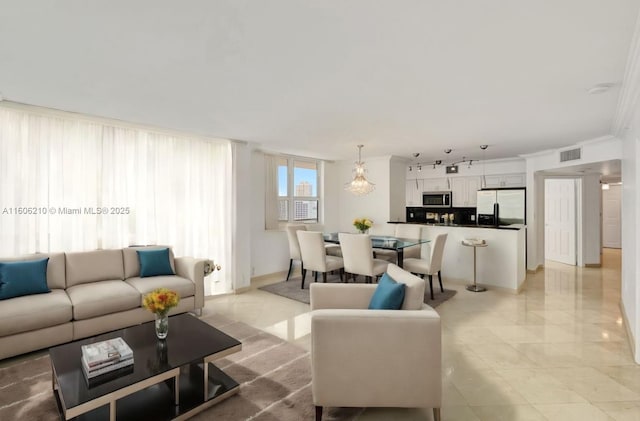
(560, 220)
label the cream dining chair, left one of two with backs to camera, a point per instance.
(315, 258)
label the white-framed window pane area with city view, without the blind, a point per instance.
(297, 190)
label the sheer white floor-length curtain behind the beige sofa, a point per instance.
(59, 173)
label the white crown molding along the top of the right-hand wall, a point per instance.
(630, 90)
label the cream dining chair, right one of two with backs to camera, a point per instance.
(357, 253)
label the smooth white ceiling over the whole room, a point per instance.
(316, 78)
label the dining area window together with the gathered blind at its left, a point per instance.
(296, 187)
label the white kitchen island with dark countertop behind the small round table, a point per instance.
(501, 264)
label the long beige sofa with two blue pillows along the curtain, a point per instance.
(91, 292)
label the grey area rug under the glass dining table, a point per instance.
(291, 289)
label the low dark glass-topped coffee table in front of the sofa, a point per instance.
(170, 379)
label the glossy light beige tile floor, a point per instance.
(556, 351)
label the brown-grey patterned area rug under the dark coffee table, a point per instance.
(274, 377)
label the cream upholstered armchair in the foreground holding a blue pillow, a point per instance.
(374, 358)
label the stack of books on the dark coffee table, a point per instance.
(106, 357)
